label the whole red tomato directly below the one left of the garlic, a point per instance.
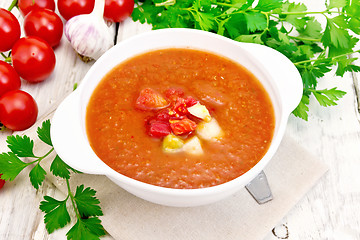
(33, 59)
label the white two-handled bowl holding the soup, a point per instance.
(277, 74)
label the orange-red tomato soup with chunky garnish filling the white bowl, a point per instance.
(180, 118)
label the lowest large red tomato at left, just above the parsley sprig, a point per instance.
(18, 110)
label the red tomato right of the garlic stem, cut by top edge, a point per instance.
(118, 10)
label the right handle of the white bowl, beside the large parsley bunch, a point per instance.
(283, 71)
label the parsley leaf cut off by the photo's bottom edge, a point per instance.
(89, 229)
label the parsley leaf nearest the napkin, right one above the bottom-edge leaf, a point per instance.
(86, 202)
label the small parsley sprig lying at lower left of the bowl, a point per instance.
(83, 202)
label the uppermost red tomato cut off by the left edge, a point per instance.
(9, 30)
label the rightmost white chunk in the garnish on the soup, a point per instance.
(210, 131)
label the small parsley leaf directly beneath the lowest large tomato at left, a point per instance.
(21, 146)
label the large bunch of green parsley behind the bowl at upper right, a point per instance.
(280, 24)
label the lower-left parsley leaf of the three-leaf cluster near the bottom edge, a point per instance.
(56, 215)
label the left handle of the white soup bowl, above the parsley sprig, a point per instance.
(69, 141)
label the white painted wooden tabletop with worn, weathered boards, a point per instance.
(331, 210)
